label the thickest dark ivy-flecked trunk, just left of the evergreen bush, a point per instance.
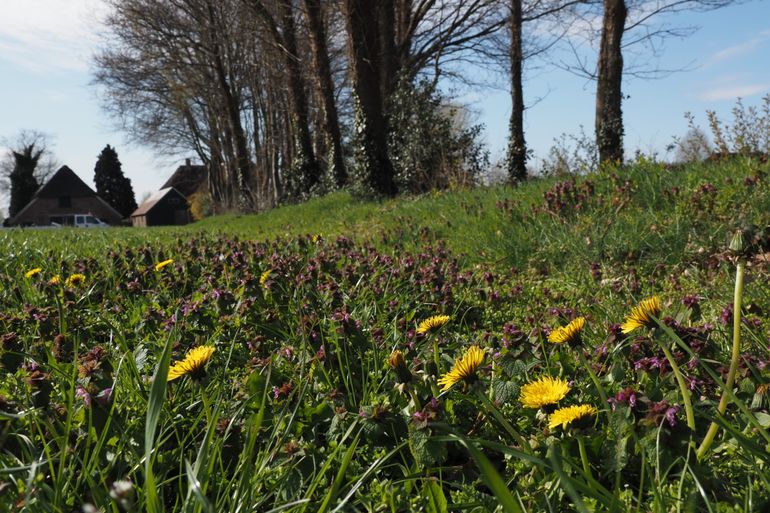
(370, 120)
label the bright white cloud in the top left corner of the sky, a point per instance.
(45, 35)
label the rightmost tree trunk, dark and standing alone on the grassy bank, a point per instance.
(609, 114)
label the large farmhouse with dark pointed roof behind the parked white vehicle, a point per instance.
(61, 197)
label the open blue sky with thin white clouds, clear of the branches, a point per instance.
(45, 48)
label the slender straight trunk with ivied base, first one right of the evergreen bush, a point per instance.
(517, 146)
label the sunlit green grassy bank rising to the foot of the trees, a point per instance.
(643, 211)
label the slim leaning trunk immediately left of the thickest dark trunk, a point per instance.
(325, 85)
